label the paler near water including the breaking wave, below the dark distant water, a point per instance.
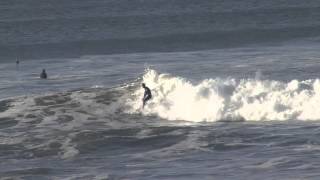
(251, 118)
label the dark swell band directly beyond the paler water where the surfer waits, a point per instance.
(168, 43)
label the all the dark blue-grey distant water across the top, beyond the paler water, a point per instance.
(41, 29)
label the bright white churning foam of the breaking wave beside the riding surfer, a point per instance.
(176, 98)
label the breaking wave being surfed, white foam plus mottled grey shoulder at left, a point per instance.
(174, 98)
